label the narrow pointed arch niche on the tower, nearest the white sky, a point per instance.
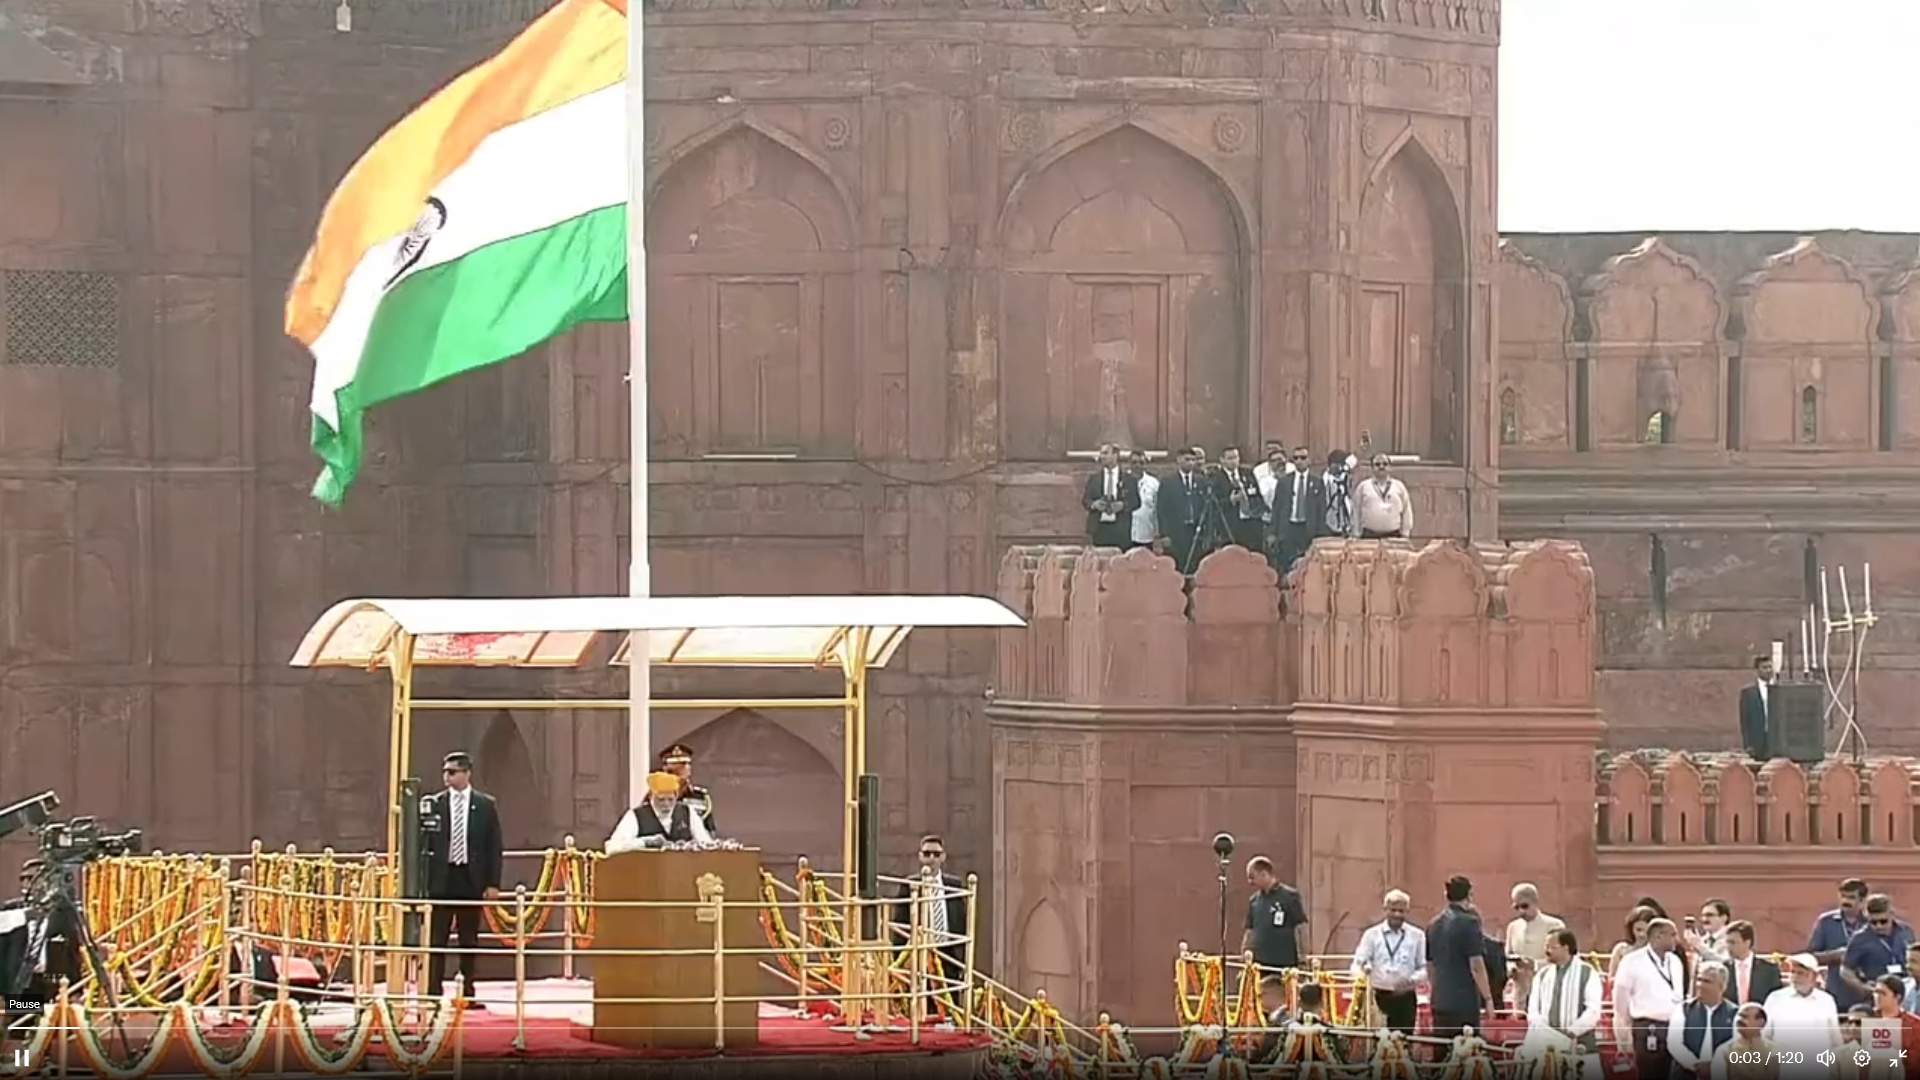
(1410, 391)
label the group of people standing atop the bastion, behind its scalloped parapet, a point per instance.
(1278, 506)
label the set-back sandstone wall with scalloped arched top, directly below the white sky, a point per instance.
(1790, 443)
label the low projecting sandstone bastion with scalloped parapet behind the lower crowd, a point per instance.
(1410, 712)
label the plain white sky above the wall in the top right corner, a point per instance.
(1710, 114)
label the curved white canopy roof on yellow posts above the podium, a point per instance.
(688, 631)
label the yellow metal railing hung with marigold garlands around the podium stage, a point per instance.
(172, 929)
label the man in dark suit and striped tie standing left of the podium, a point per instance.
(464, 866)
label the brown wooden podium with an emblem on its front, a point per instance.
(677, 877)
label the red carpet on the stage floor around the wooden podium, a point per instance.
(560, 1016)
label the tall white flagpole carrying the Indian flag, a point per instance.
(640, 675)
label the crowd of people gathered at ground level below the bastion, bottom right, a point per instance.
(1677, 998)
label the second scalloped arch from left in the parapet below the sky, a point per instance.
(1656, 358)
